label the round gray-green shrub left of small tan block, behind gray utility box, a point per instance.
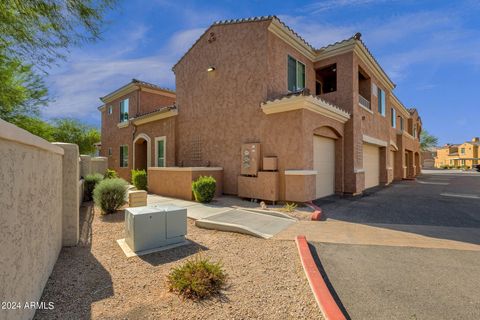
(109, 195)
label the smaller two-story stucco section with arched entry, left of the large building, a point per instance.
(129, 127)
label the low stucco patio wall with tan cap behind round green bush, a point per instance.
(176, 182)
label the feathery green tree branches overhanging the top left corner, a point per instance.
(34, 34)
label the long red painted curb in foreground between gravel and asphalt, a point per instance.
(324, 299)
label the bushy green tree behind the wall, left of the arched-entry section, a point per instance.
(73, 131)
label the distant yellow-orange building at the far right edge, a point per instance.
(459, 155)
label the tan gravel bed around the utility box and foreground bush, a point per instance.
(95, 280)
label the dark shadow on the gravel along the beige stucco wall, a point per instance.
(78, 279)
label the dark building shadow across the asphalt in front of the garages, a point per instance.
(410, 207)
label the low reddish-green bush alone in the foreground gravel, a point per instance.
(196, 279)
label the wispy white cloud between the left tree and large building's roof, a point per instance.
(77, 87)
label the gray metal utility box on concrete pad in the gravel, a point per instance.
(154, 227)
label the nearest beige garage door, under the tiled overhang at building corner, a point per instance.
(324, 164)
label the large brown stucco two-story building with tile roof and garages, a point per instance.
(328, 115)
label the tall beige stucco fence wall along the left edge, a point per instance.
(39, 213)
